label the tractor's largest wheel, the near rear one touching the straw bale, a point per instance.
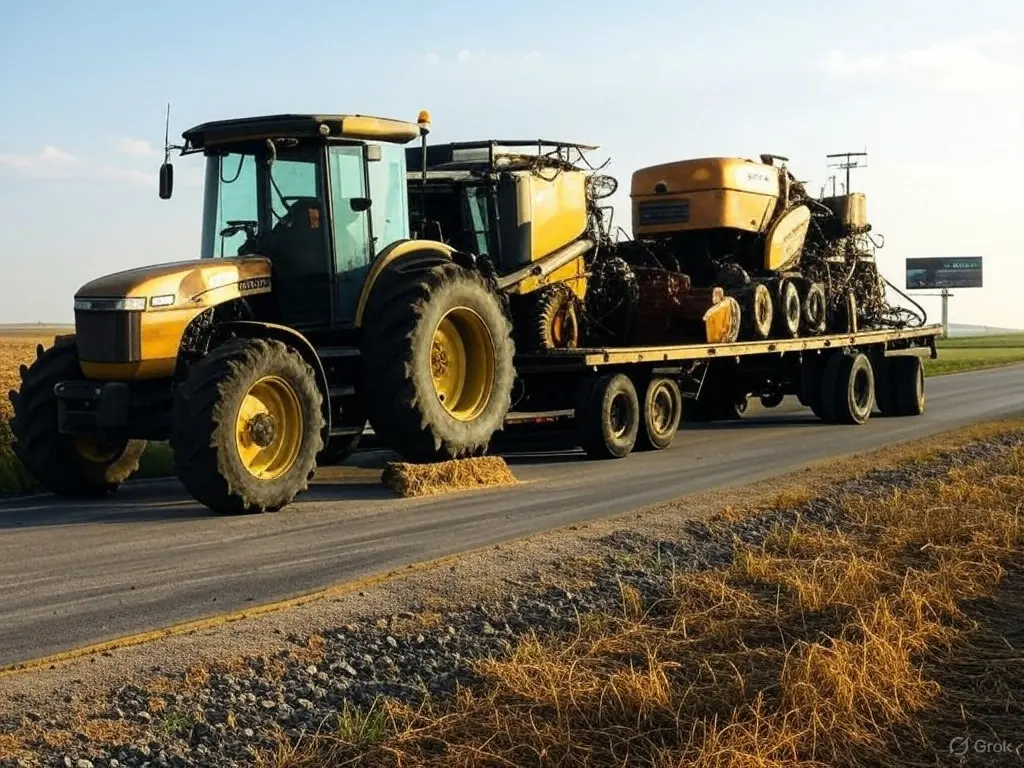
(438, 357)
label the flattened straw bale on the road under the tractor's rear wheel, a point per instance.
(462, 475)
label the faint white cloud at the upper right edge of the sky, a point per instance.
(975, 63)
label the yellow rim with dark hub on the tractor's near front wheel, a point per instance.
(269, 430)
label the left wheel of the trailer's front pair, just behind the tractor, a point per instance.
(608, 416)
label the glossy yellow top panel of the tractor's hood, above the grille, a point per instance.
(177, 285)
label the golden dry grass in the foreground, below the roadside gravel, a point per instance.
(874, 646)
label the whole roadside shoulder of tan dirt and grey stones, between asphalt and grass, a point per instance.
(207, 698)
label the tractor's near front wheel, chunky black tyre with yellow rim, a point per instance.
(248, 425)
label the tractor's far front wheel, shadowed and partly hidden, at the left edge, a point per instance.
(72, 466)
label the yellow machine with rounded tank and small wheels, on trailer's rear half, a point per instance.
(796, 265)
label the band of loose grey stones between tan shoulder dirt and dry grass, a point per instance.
(219, 722)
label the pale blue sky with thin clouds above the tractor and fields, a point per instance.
(935, 94)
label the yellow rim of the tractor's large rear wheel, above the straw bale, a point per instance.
(462, 363)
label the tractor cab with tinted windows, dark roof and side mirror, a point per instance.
(319, 195)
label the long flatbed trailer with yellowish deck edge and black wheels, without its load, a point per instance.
(634, 398)
